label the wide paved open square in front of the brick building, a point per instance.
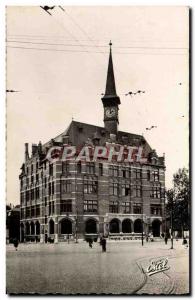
(75, 268)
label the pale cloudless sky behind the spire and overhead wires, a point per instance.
(65, 79)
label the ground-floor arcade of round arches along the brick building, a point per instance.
(112, 225)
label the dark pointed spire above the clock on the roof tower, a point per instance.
(110, 83)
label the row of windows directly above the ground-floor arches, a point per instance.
(91, 206)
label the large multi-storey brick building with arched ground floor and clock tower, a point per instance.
(63, 199)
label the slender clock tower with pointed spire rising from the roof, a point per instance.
(110, 100)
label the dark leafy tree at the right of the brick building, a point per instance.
(179, 201)
